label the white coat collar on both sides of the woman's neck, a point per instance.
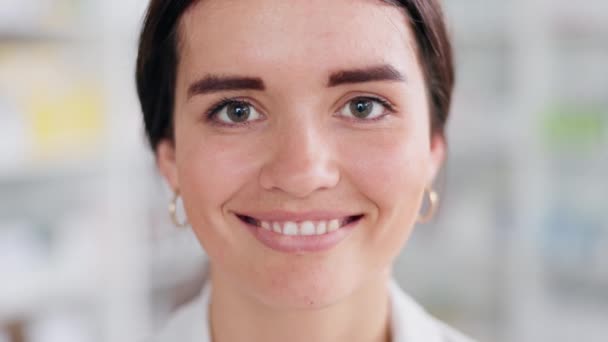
(409, 321)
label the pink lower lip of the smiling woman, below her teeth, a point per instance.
(301, 243)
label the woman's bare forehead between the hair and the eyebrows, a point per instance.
(308, 36)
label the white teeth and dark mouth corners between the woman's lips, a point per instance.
(301, 228)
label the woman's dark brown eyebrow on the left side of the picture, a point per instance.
(214, 83)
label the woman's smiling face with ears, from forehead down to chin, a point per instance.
(300, 111)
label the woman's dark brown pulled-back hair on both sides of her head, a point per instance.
(158, 57)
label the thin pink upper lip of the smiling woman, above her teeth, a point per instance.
(283, 216)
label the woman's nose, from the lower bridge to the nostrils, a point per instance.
(301, 161)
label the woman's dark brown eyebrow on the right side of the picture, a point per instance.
(376, 73)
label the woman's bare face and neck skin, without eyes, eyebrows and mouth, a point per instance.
(302, 153)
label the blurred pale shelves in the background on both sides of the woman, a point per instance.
(519, 251)
